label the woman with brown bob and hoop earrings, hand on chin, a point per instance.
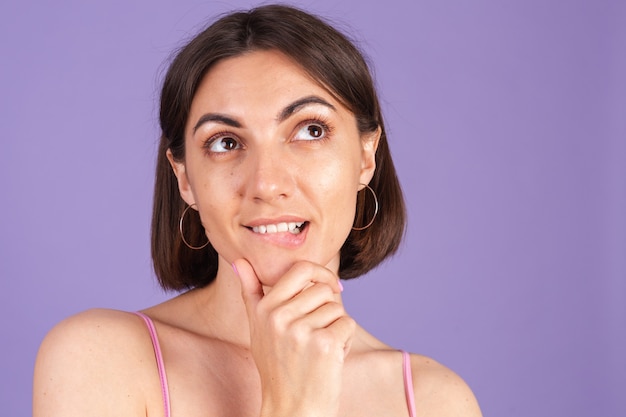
(271, 167)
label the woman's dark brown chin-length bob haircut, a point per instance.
(330, 59)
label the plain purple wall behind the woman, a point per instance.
(508, 125)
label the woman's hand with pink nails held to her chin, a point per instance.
(300, 335)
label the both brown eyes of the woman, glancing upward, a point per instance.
(313, 130)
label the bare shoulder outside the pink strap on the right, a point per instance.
(441, 392)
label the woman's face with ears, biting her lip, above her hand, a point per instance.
(273, 163)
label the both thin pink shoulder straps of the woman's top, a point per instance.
(406, 371)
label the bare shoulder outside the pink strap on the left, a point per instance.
(93, 363)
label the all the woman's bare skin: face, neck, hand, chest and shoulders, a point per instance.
(265, 144)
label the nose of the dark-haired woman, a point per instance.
(271, 175)
